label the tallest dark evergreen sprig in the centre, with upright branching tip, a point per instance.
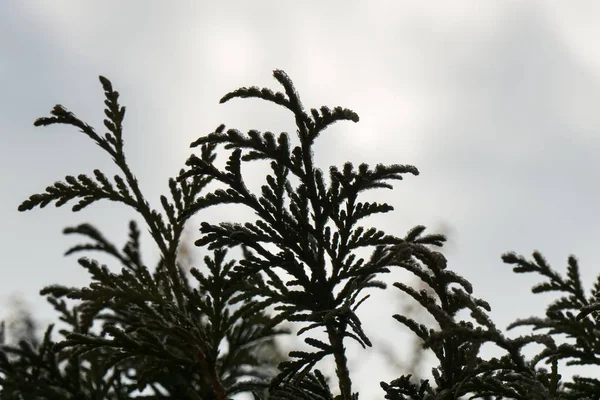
(292, 217)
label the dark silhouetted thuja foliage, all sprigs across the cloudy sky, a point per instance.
(166, 333)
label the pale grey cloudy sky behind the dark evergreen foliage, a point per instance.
(495, 102)
